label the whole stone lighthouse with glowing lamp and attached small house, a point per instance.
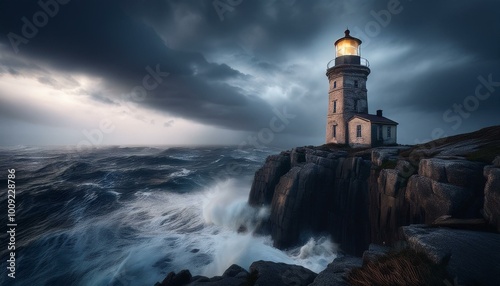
(348, 120)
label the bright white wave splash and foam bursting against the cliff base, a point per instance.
(226, 206)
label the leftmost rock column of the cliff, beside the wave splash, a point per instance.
(267, 177)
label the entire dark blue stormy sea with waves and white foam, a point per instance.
(130, 215)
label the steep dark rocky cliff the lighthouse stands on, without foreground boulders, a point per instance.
(364, 196)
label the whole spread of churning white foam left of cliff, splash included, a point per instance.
(158, 232)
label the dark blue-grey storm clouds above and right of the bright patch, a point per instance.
(424, 59)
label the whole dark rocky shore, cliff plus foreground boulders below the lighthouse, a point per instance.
(440, 199)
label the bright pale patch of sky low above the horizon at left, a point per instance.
(70, 119)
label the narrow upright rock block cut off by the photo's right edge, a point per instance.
(492, 196)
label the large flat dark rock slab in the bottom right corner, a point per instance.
(474, 257)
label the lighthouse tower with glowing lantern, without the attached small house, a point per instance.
(347, 75)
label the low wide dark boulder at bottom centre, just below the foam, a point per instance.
(278, 274)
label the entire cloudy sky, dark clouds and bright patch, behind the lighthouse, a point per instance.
(238, 72)
